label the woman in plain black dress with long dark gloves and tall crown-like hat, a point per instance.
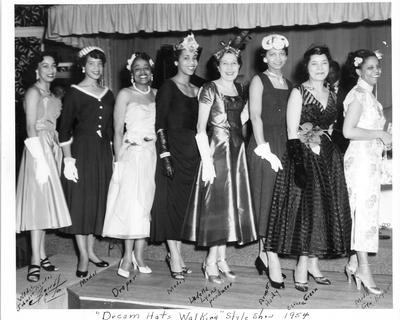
(176, 117)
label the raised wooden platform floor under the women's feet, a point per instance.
(106, 290)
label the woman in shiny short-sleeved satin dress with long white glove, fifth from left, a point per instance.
(220, 208)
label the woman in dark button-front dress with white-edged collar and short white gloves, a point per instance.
(85, 135)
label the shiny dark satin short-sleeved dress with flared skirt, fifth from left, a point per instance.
(223, 211)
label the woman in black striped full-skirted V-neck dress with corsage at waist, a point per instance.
(310, 213)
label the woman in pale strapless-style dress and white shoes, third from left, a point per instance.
(132, 188)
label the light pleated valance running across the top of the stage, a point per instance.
(77, 20)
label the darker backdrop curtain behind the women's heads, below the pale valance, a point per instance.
(341, 39)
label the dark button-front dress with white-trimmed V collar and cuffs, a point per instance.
(87, 120)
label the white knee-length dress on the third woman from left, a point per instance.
(130, 199)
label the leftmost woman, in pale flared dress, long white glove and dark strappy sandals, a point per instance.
(40, 202)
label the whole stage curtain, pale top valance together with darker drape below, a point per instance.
(122, 29)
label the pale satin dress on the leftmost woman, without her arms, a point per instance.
(40, 207)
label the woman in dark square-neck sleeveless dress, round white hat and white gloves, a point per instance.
(269, 92)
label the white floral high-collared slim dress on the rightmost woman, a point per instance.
(362, 163)
